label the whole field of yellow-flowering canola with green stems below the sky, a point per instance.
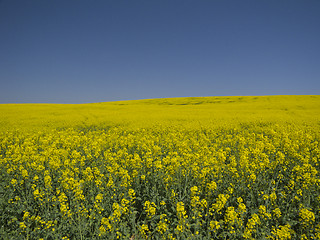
(185, 168)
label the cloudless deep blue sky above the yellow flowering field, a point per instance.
(76, 51)
